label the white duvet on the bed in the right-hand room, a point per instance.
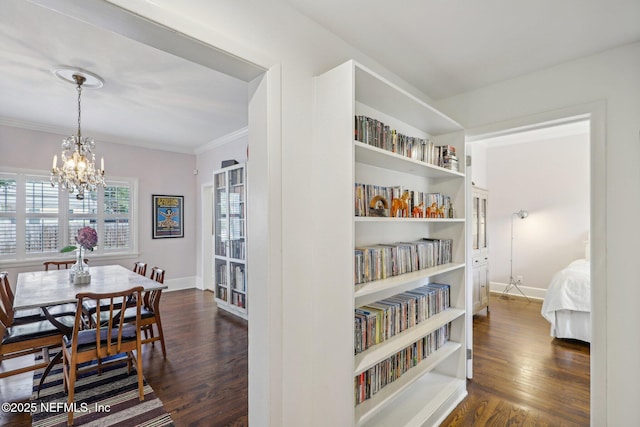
(569, 290)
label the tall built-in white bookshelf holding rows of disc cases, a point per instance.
(428, 391)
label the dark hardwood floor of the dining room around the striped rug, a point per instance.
(203, 380)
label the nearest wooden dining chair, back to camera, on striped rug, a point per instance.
(111, 337)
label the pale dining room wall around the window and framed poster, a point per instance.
(158, 172)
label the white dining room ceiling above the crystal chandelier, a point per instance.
(149, 97)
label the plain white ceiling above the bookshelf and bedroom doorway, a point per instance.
(447, 47)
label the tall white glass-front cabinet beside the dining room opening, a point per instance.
(230, 240)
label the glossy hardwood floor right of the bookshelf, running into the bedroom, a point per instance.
(521, 375)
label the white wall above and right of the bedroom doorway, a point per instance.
(611, 79)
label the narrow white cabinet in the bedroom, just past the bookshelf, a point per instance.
(480, 248)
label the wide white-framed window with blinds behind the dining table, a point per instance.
(36, 218)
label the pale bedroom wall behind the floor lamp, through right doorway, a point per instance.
(550, 179)
